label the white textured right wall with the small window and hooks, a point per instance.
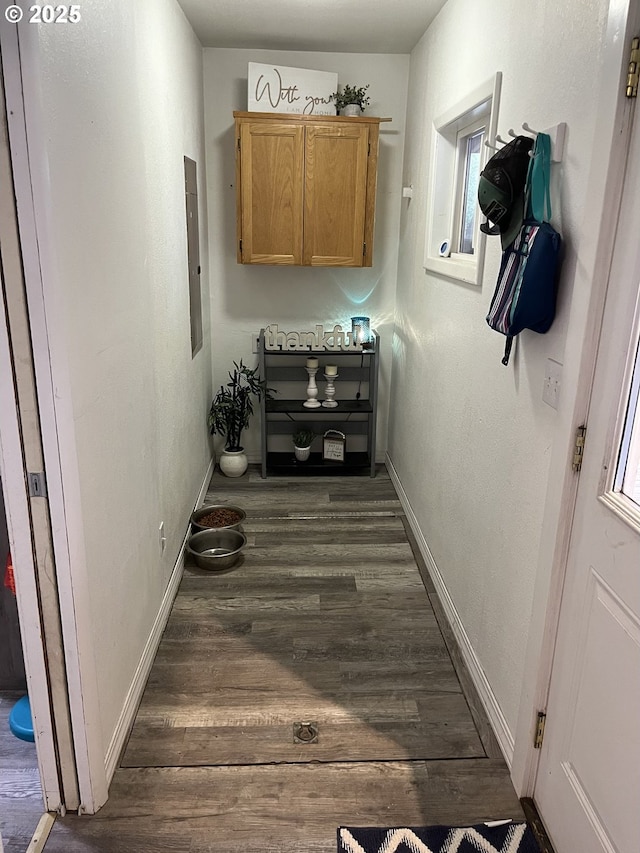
(470, 439)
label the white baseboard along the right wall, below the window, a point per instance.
(487, 696)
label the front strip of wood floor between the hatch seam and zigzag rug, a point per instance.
(283, 808)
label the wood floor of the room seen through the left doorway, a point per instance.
(21, 802)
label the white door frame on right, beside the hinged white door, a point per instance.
(606, 179)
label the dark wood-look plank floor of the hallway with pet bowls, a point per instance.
(327, 619)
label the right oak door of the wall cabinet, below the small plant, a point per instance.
(335, 194)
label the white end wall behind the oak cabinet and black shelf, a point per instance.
(245, 298)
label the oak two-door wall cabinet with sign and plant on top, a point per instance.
(305, 189)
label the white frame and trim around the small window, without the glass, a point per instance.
(448, 156)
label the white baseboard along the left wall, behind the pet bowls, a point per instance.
(136, 689)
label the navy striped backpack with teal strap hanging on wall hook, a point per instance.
(525, 294)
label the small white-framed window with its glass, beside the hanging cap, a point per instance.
(454, 244)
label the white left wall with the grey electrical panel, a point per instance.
(122, 103)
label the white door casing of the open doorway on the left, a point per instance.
(19, 55)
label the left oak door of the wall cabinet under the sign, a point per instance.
(271, 163)
